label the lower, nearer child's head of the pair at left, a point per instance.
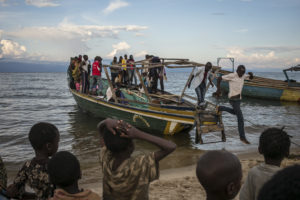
(64, 169)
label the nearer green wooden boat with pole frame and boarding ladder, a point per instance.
(160, 113)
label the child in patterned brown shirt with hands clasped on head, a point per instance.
(126, 176)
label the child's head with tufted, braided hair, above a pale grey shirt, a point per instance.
(274, 144)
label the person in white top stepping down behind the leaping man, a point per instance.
(199, 79)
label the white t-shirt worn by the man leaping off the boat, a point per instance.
(236, 83)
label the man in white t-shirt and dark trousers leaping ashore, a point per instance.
(236, 83)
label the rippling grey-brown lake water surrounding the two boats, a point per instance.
(28, 98)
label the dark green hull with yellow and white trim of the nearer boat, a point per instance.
(148, 120)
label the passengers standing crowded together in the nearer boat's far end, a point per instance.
(87, 78)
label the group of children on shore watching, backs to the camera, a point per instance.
(54, 175)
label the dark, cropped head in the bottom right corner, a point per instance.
(284, 184)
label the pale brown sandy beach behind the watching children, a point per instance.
(181, 183)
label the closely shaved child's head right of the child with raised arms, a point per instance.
(220, 174)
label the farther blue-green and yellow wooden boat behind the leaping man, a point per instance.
(266, 88)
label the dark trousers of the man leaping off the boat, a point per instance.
(236, 110)
